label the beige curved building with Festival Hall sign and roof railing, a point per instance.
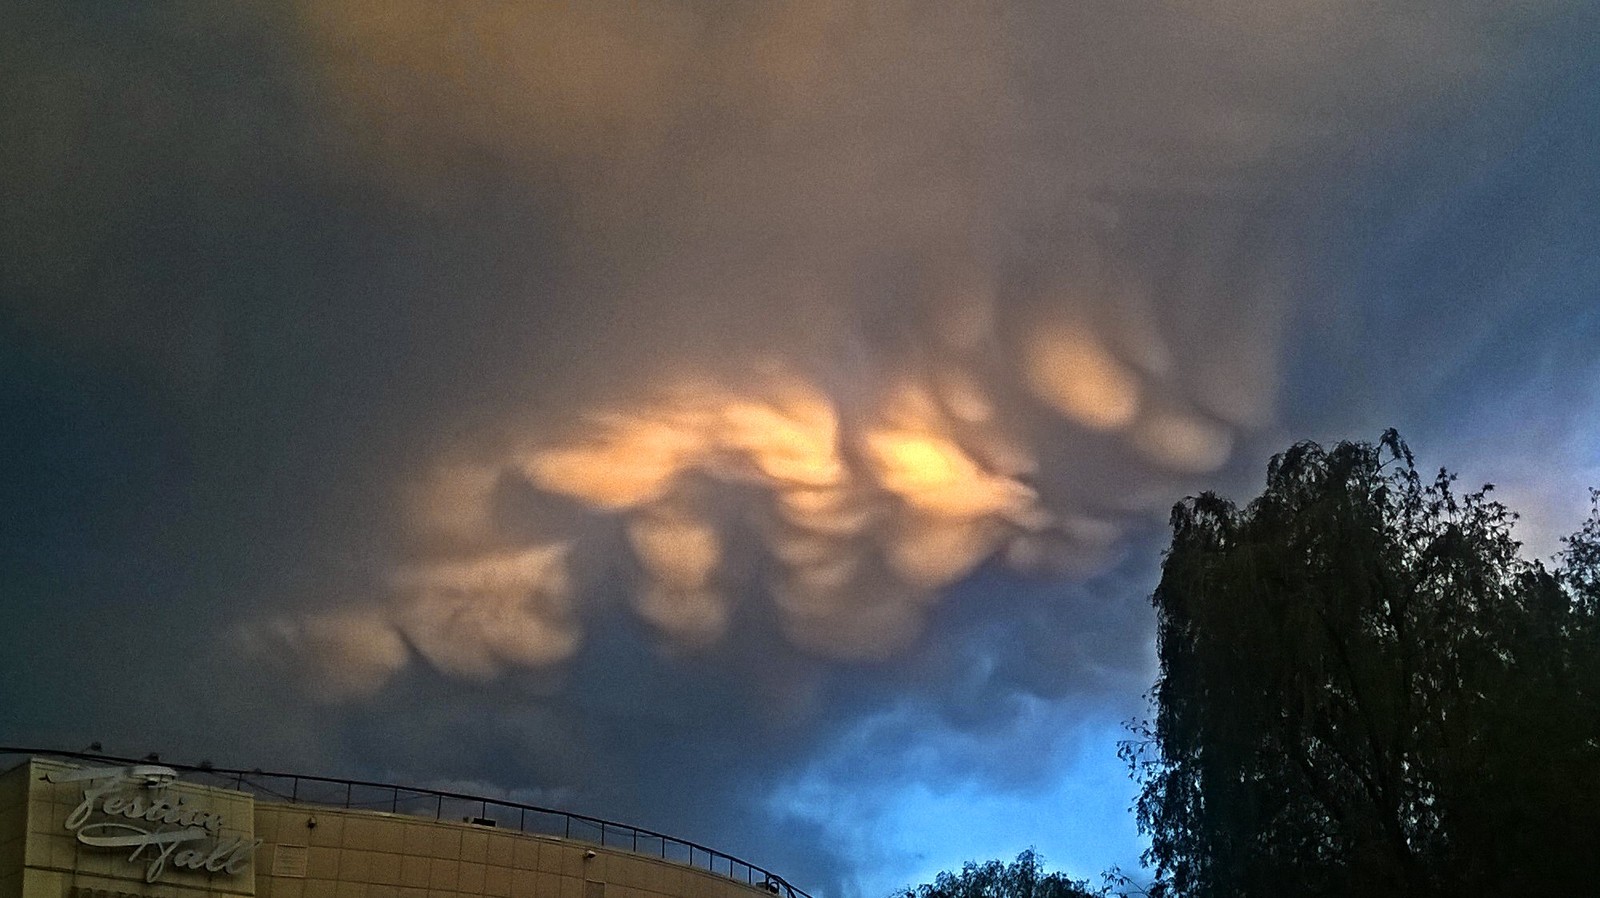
(90, 827)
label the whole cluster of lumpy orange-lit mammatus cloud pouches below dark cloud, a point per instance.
(850, 523)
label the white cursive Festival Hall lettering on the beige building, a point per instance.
(156, 824)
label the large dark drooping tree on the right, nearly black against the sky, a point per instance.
(1366, 691)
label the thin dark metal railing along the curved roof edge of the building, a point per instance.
(361, 795)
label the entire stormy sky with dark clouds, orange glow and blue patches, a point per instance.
(753, 422)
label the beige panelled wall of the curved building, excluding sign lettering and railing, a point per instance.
(316, 852)
